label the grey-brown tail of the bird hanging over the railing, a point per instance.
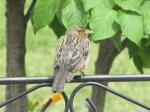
(59, 81)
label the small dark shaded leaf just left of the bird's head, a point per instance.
(57, 27)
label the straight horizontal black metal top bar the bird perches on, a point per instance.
(87, 78)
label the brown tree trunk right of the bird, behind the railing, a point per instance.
(106, 56)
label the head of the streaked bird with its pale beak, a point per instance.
(79, 31)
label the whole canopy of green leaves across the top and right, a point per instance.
(107, 18)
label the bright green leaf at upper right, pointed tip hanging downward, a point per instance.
(131, 26)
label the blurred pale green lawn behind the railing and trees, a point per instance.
(39, 62)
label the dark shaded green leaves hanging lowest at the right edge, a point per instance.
(140, 55)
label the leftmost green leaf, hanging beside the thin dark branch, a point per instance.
(43, 13)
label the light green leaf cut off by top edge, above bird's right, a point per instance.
(89, 4)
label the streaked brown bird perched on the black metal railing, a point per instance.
(71, 55)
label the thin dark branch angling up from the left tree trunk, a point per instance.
(29, 12)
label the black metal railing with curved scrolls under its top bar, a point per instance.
(89, 80)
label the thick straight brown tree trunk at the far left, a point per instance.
(16, 28)
